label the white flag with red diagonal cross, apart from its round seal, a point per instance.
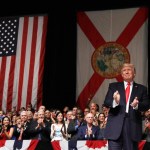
(127, 27)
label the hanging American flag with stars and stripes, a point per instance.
(22, 50)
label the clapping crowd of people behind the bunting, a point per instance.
(53, 124)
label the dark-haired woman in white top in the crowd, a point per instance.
(59, 128)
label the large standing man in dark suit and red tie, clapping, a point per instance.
(124, 123)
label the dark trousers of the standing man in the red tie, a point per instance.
(124, 142)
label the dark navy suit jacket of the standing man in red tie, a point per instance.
(117, 115)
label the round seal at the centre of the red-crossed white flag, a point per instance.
(108, 59)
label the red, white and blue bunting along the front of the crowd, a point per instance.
(57, 145)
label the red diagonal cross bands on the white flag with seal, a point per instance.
(97, 40)
